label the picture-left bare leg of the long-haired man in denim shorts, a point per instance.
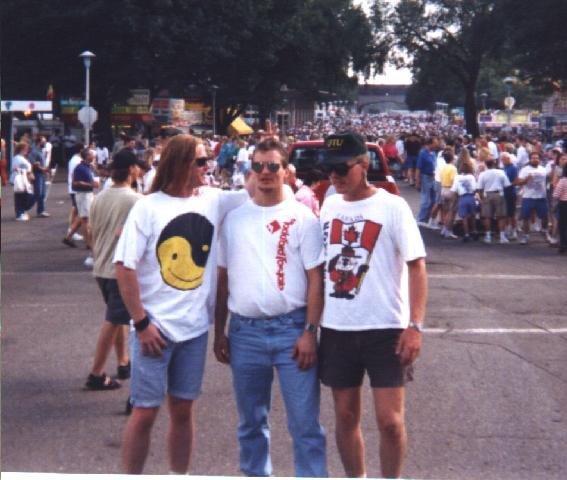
(136, 439)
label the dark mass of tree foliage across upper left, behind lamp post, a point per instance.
(248, 48)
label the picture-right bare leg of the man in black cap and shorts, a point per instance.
(389, 407)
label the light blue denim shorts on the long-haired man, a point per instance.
(178, 371)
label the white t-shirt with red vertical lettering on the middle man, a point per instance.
(266, 251)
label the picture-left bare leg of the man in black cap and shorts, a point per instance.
(348, 433)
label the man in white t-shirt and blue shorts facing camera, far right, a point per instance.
(533, 178)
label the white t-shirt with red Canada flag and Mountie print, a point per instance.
(380, 233)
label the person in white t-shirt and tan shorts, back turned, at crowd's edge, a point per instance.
(491, 184)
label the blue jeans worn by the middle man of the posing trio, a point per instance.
(257, 346)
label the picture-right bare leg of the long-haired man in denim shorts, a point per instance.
(181, 429)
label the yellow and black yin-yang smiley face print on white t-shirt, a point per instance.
(183, 248)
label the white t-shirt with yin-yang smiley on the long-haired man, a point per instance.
(171, 242)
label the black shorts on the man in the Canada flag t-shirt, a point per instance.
(344, 356)
